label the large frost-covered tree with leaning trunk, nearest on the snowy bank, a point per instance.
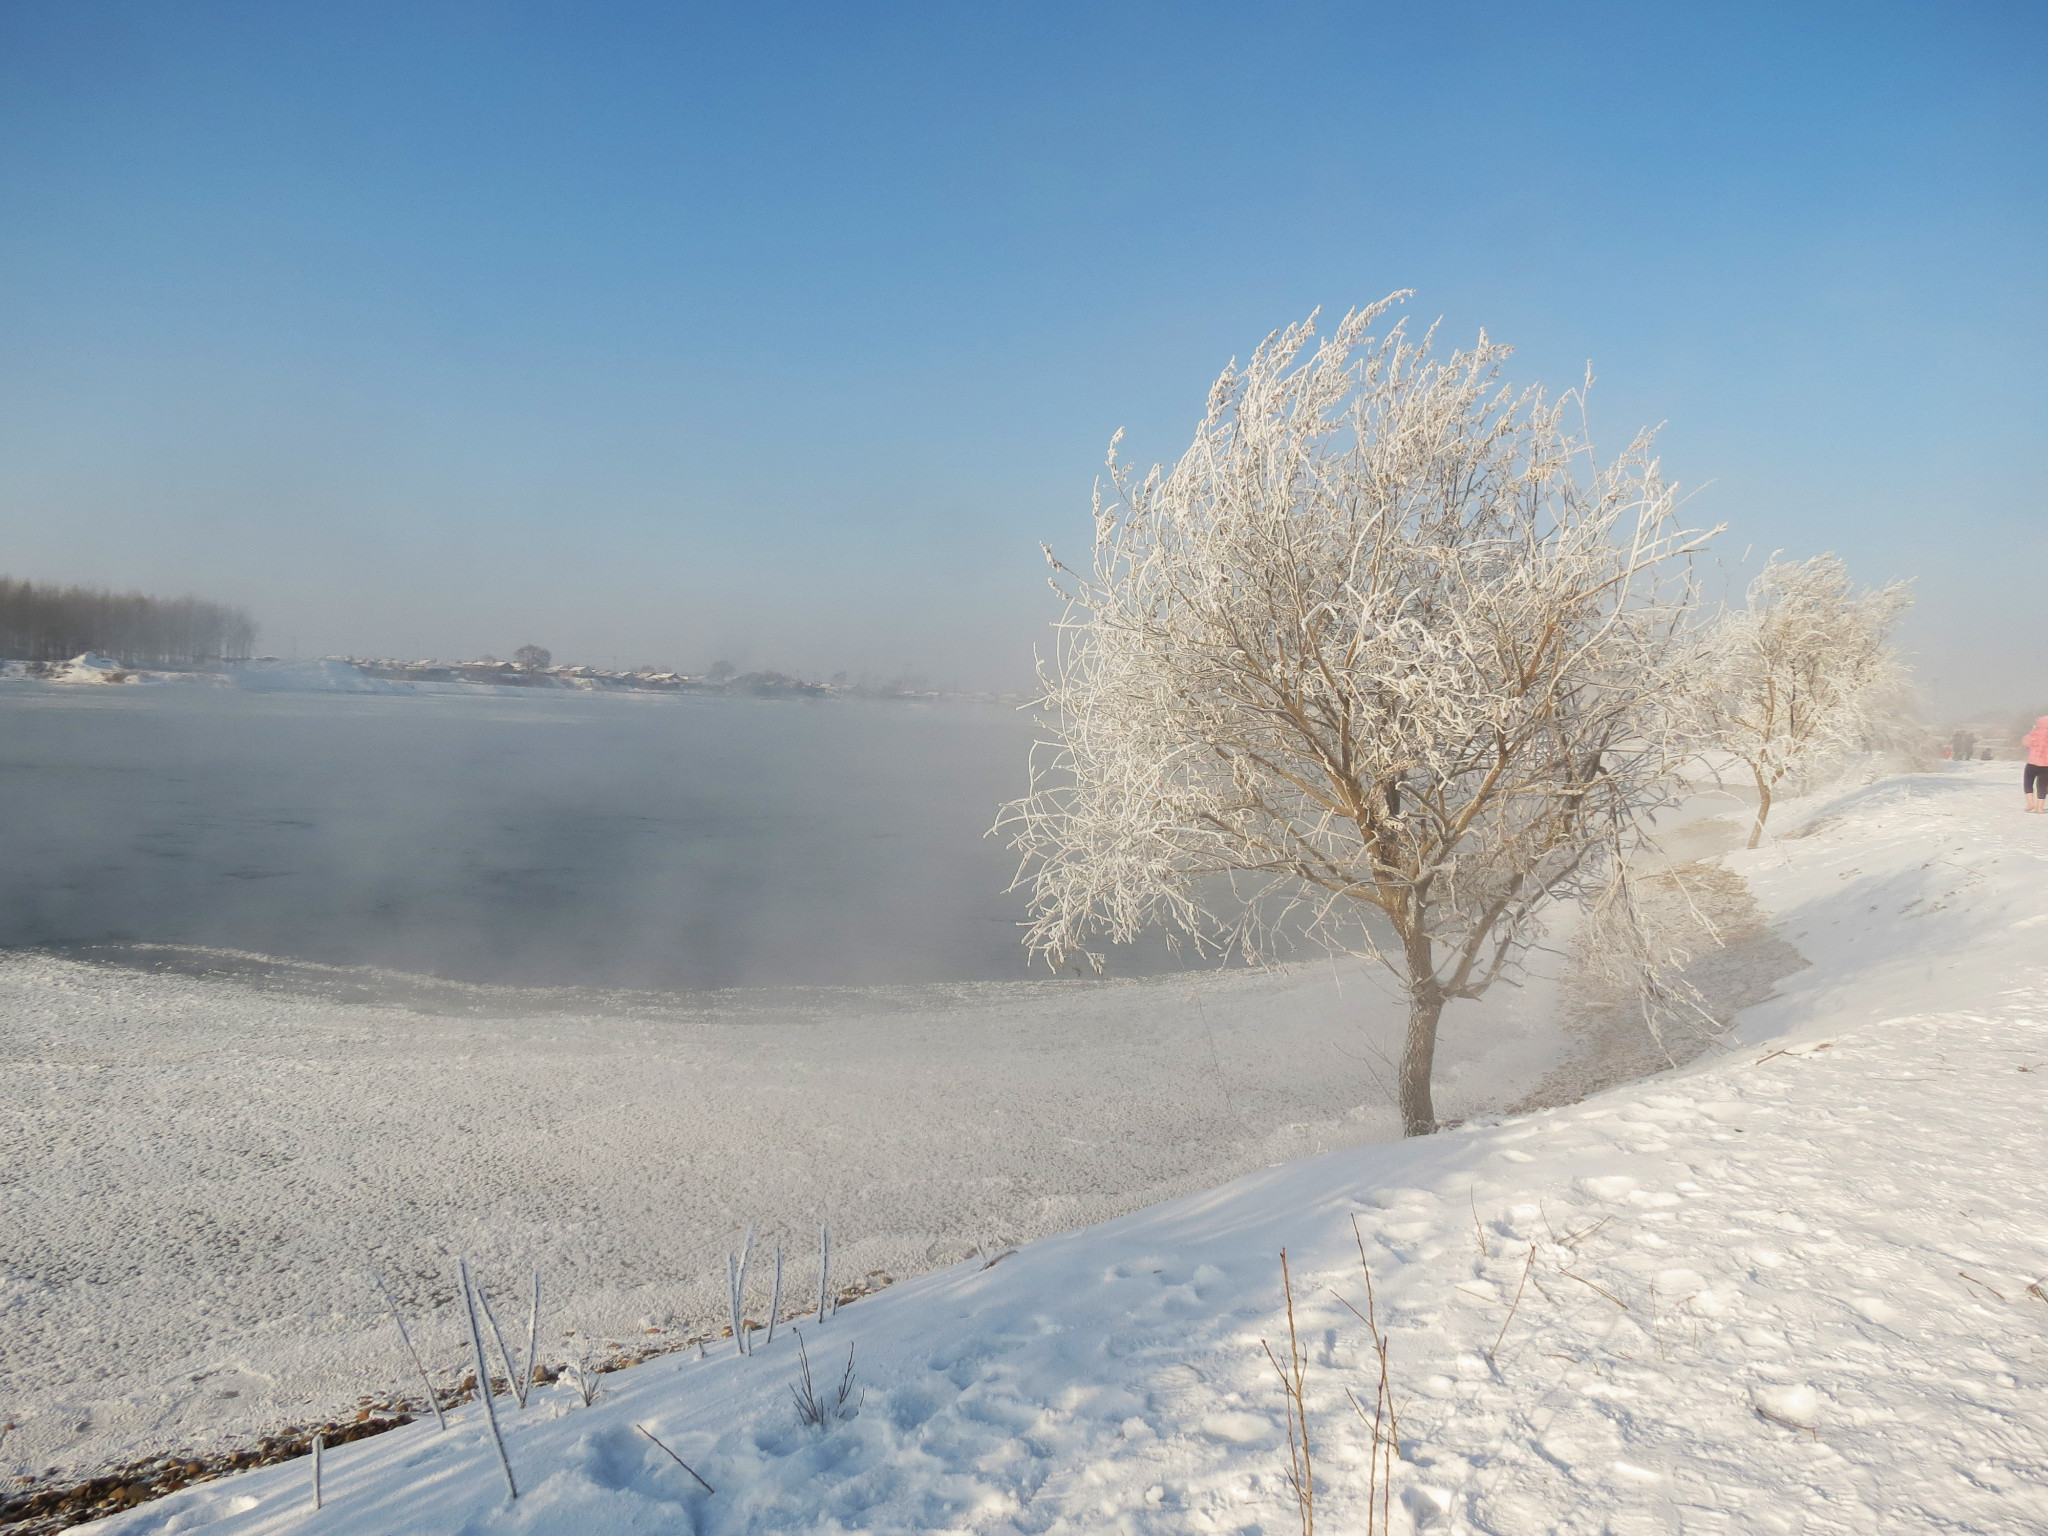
(1381, 665)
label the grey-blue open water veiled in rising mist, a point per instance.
(546, 841)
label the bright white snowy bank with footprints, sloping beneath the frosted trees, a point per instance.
(1787, 1289)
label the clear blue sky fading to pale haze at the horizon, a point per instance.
(787, 333)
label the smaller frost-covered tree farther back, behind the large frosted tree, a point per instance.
(1803, 675)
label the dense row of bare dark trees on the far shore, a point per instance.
(52, 624)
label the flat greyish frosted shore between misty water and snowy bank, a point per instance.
(204, 1175)
